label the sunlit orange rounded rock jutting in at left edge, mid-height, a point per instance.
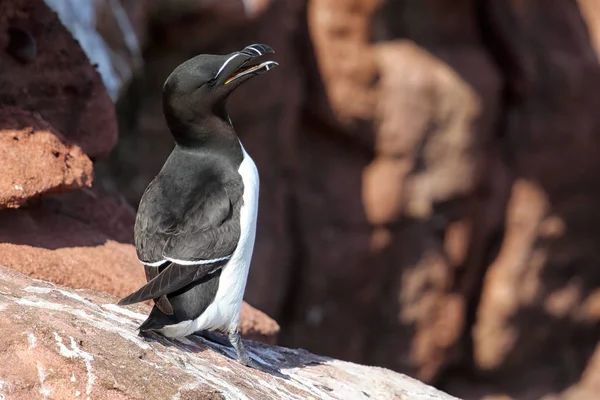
(36, 160)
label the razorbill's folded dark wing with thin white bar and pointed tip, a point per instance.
(193, 244)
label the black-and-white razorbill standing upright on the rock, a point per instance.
(196, 222)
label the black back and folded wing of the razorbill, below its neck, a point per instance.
(192, 215)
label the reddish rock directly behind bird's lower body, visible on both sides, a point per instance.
(84, 240)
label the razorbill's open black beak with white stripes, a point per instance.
(238, 65)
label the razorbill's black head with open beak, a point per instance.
(195, 94)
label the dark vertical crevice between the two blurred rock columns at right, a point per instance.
(486, 241)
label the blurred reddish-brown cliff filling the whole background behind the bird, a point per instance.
(428, 173)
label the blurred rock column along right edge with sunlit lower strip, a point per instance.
(539, 302)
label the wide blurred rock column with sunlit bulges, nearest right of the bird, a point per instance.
(395, 142)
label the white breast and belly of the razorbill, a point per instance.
(224, 311)
